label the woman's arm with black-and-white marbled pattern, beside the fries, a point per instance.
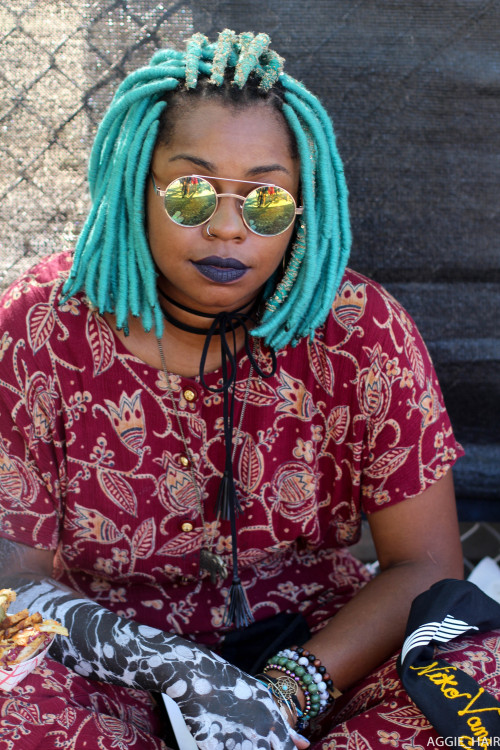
(217, 699)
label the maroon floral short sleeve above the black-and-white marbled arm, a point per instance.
(31, 453)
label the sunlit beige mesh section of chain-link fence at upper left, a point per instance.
(61, 61)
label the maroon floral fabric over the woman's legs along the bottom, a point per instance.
(56, 708)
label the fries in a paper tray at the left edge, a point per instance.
(23, 635)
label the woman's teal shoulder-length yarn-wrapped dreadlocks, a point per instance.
(113, 262)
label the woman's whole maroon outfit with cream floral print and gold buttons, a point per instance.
(93, 465)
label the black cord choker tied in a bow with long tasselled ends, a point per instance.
(228, 505)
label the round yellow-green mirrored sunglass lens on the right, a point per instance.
(269, 210)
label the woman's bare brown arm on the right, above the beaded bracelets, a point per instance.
(417, 543)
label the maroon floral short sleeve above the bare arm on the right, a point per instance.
(409, 442)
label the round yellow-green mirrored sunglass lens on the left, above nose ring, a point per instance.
(190, 201)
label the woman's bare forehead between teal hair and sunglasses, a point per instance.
(229, 137)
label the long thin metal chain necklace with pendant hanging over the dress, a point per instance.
(210, 561)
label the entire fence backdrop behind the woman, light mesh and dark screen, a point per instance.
(413, 89)
